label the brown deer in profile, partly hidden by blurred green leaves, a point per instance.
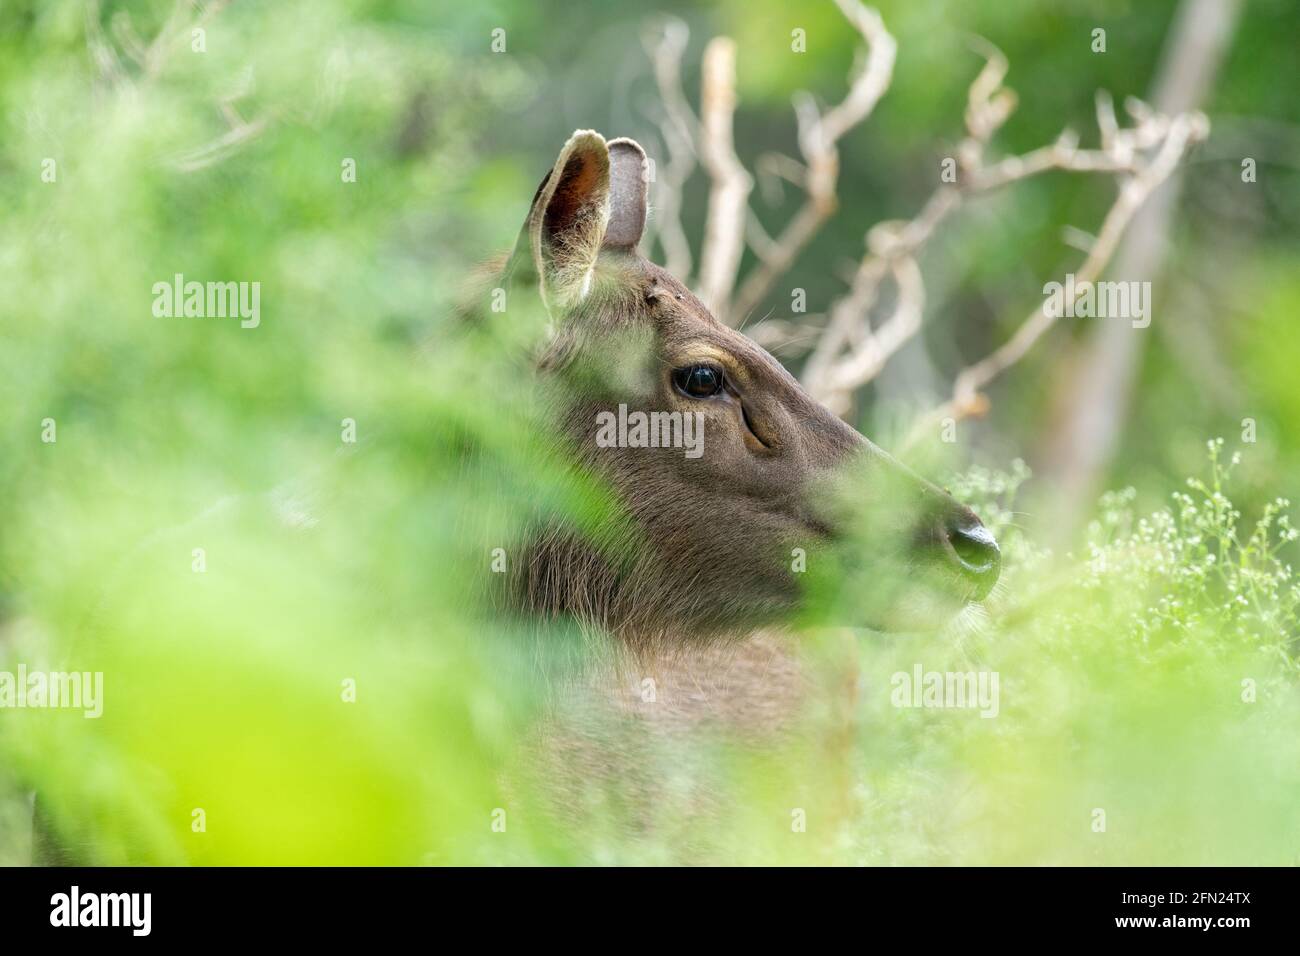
(694, 594)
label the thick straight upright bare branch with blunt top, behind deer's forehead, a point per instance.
(725, 228)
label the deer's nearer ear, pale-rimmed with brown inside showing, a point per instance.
(567, 223)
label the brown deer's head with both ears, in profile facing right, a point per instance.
(730, 474)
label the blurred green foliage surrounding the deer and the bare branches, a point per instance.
(330, 561)
